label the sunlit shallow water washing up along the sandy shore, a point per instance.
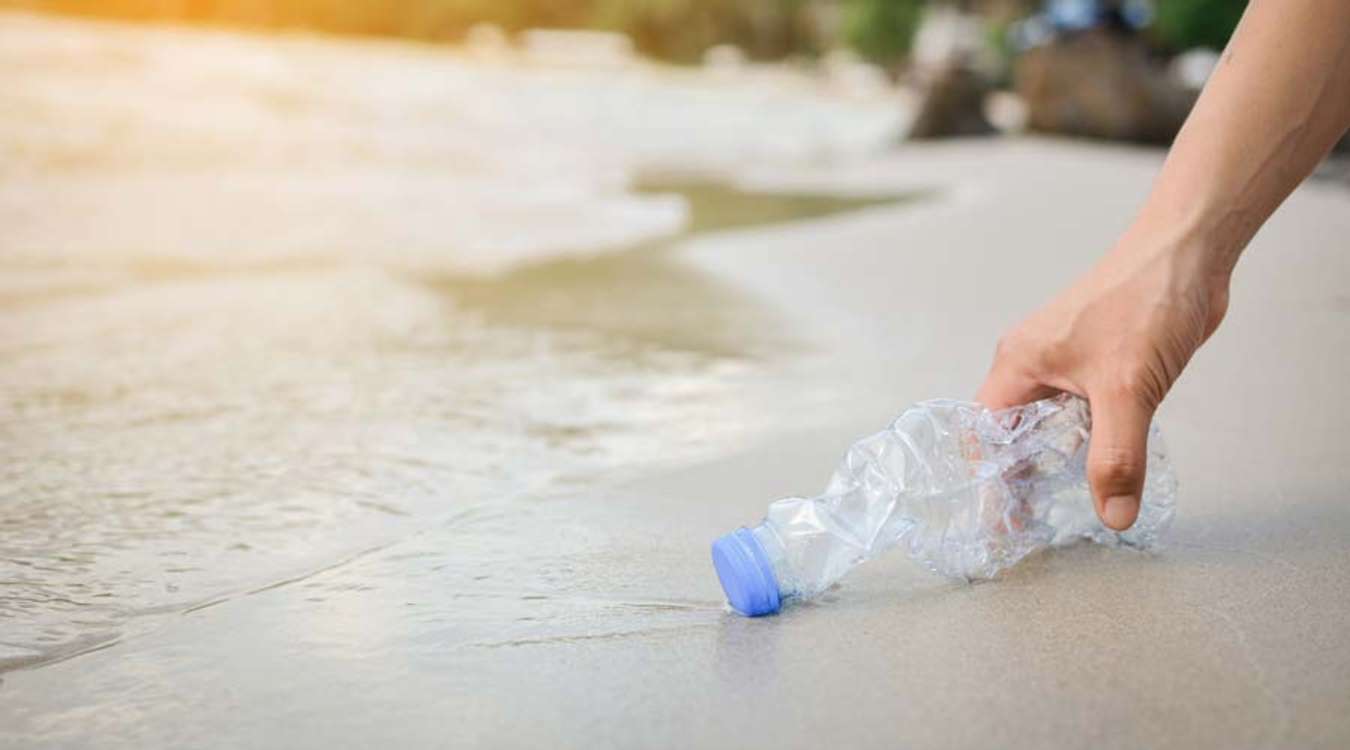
(268, 306)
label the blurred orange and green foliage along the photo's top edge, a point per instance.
(674, 30)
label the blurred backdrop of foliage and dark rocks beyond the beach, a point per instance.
(1123, 69)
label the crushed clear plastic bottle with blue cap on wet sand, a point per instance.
(966, 492)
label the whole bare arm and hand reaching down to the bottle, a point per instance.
(1121, 335)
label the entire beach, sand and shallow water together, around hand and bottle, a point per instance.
(353, 482)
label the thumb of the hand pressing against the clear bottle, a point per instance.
(1118, 457)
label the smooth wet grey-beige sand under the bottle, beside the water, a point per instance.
(584, 613)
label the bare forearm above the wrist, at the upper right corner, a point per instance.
(1275, 106)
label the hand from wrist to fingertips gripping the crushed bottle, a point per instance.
(1120, 338)
